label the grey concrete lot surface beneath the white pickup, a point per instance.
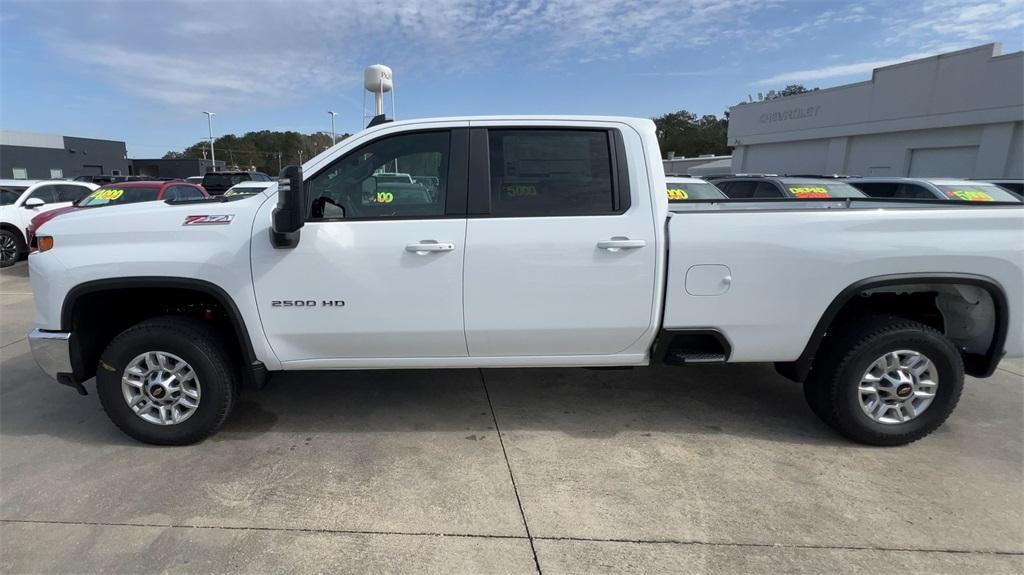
(713, 470)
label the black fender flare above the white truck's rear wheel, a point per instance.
(799, 370)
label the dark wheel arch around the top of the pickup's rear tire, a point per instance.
(977, 365)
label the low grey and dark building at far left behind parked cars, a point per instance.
(37, 157)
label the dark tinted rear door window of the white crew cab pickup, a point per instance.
(539, 172)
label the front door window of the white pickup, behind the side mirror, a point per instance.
(374, 182)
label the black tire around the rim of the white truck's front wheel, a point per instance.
(192, 341)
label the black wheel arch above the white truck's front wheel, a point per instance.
(254, 372)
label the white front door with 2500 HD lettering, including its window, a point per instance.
(377, 273)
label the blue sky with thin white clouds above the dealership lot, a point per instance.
(144, 72)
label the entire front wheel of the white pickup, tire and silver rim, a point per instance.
(167, 381)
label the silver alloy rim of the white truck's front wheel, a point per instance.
(161, 388)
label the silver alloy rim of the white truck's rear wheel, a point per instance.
(899, 387)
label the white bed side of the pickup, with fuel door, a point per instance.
(762, 274)
